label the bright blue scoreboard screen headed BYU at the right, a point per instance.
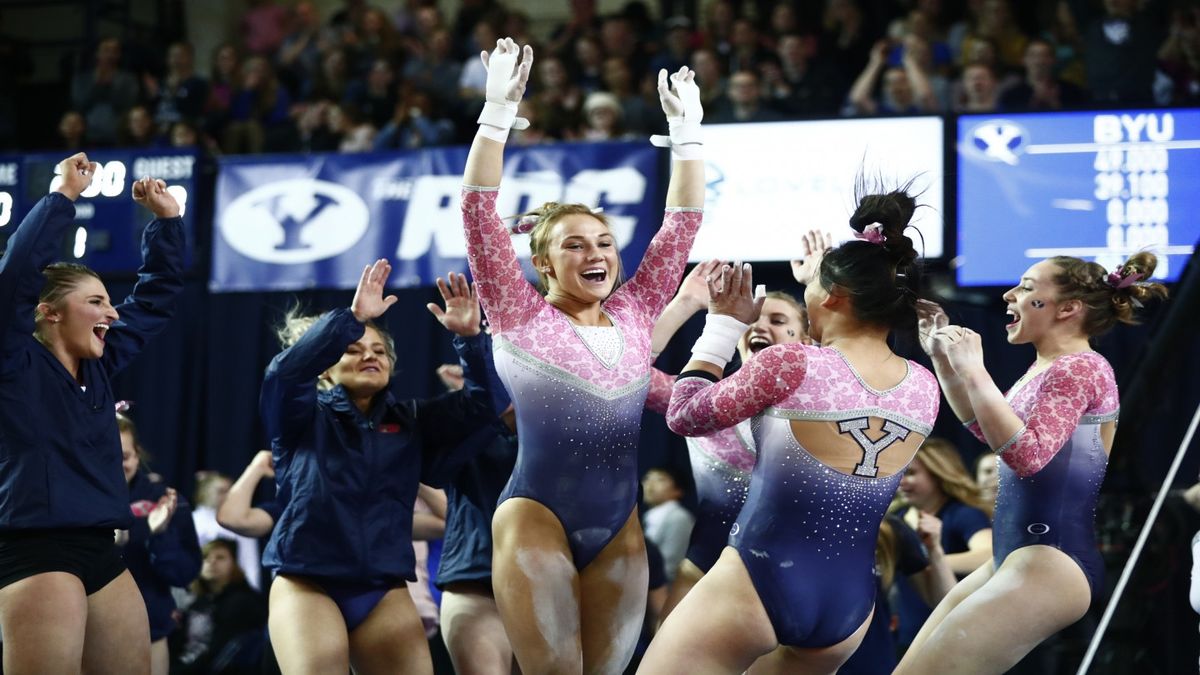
(1096, 186)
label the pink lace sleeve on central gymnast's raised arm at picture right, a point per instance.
(662, 268)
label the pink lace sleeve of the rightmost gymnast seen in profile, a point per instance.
(1070, 389)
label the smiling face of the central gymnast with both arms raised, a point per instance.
(580, 259)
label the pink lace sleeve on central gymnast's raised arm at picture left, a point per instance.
(507, 297)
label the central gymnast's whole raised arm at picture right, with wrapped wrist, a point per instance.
(668, 254)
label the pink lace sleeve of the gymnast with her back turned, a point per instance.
(700, 408)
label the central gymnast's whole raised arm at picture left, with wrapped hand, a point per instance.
(507, 296)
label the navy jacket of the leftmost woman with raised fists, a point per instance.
(61, 452)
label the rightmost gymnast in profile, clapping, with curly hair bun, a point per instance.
(1053, 434)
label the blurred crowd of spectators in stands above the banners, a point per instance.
(365, 79)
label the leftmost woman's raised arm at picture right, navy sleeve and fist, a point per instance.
(152, 304)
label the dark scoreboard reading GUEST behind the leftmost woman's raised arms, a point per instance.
(107, 236)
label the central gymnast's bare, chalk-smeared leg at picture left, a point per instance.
(537, 588)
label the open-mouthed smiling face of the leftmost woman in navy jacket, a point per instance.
(81, 320)
